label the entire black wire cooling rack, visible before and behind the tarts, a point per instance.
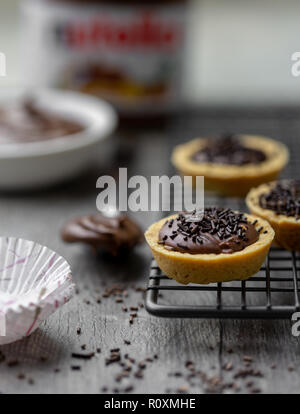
(273, 292)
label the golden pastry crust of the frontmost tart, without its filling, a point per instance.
(210, 268)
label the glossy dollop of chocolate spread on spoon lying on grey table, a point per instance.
(112, 234)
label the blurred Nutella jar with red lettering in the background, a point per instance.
(129, 52)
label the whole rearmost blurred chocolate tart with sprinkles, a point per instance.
(231, 164)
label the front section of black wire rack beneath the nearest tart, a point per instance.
(272, 293)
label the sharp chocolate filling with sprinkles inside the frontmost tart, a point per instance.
(216, 231)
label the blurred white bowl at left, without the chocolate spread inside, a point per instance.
(36, 164)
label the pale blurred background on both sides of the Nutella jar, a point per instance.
(238, 53)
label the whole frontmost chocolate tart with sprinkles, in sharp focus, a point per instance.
(216, 246)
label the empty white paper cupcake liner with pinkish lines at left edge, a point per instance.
(34, 282)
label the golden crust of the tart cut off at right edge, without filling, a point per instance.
(287, 229)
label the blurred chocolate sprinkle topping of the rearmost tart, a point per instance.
(228, 149)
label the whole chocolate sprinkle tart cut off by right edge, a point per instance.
(279, 203)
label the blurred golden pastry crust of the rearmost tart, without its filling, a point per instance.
(233, 180)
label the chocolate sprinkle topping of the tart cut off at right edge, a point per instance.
(283, 198)
